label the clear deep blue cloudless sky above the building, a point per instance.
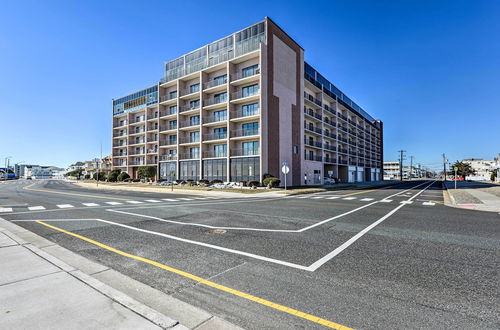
(429, 69)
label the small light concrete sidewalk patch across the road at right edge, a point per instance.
(474, 195)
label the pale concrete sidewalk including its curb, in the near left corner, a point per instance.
(41, 291)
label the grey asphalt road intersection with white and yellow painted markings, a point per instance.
(389, 258)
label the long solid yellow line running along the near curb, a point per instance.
(198, 279)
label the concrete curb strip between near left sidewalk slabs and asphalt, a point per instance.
(91, 273)
